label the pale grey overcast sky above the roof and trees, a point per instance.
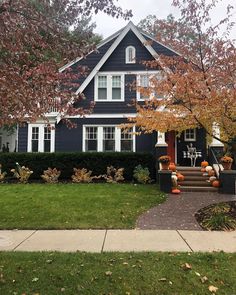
(107, 25)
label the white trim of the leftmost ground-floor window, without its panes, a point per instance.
(41, 137)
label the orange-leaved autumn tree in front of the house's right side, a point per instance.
(198, 86)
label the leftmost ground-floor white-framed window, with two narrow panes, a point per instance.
(41, 138)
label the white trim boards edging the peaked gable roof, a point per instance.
(116, 38)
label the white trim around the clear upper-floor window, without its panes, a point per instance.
(109, 87)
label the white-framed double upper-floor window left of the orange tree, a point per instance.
(109, 87)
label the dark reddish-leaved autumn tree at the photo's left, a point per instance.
(35, 41)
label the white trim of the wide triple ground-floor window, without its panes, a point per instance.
(100, 137)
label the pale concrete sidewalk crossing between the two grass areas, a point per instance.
(99, 241)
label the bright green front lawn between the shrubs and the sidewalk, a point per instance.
(67, 206)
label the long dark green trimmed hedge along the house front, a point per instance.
(65, 162)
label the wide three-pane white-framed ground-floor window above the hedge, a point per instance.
(107, 138)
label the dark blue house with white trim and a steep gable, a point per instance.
(113, 66)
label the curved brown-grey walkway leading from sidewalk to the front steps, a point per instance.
(177, 213)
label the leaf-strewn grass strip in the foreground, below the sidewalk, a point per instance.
(116, 273)
